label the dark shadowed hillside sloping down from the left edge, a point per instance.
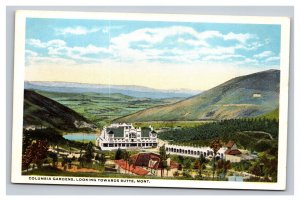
(42, 111)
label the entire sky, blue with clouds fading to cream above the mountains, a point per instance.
(161, 55)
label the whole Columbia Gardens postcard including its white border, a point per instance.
(150, 100)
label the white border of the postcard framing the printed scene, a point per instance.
(18, 94)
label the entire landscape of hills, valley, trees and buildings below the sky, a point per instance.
(241, 116)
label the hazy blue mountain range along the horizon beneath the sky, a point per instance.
(134, 91)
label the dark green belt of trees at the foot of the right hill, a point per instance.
(227, 130)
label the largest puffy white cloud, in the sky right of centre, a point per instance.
(149, 40)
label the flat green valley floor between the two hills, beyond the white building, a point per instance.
(103, 108)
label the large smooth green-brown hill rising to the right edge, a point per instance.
(245, 96)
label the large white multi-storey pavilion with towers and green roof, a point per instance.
(124, 136)
